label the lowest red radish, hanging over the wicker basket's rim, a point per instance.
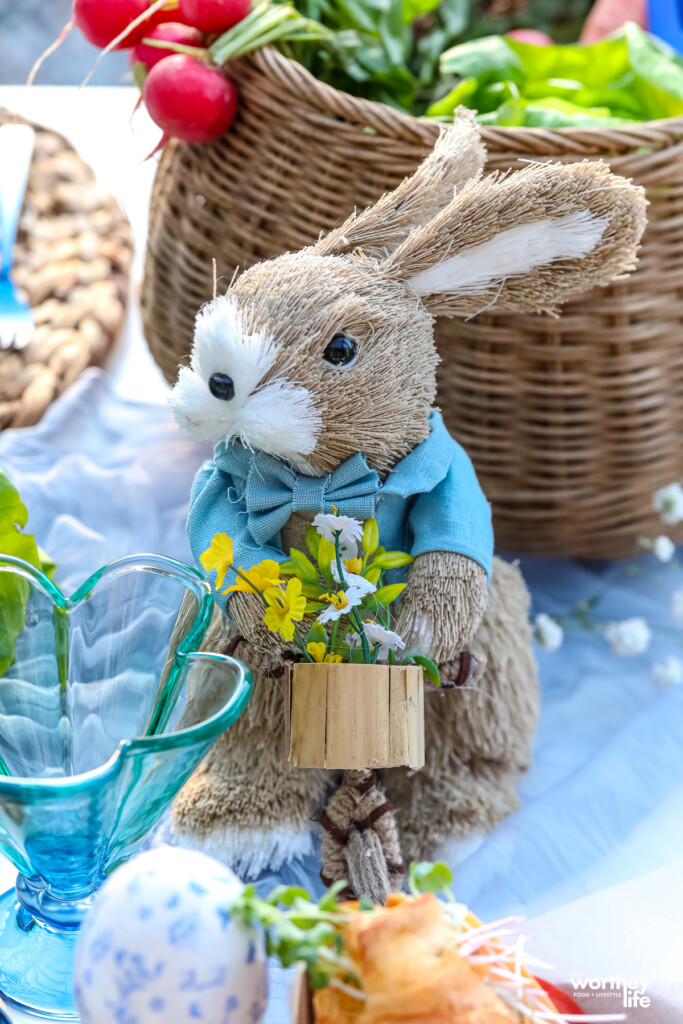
(189, 100)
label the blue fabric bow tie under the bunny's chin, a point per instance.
(273, 492)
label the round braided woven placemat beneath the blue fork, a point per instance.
(72, 263)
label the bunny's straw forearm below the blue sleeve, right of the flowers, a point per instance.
(441, 610)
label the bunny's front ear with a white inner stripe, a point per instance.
(524, 241)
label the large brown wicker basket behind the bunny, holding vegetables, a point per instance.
(573, 423)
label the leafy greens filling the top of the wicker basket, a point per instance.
(401, 53)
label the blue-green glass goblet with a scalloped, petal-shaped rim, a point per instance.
(106, 710)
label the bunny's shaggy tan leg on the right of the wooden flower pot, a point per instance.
(479, 740)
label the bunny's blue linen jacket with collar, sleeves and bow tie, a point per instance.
(431, 501)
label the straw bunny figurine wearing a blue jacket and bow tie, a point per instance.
(316, 377)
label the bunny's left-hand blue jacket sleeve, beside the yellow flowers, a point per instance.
(216, 508)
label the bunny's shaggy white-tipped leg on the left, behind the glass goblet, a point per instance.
(242, 805)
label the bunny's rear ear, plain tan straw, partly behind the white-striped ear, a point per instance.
(458, 156)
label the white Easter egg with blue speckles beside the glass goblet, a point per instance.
(160, 947)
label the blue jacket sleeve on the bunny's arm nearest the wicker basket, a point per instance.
(455, 517)
